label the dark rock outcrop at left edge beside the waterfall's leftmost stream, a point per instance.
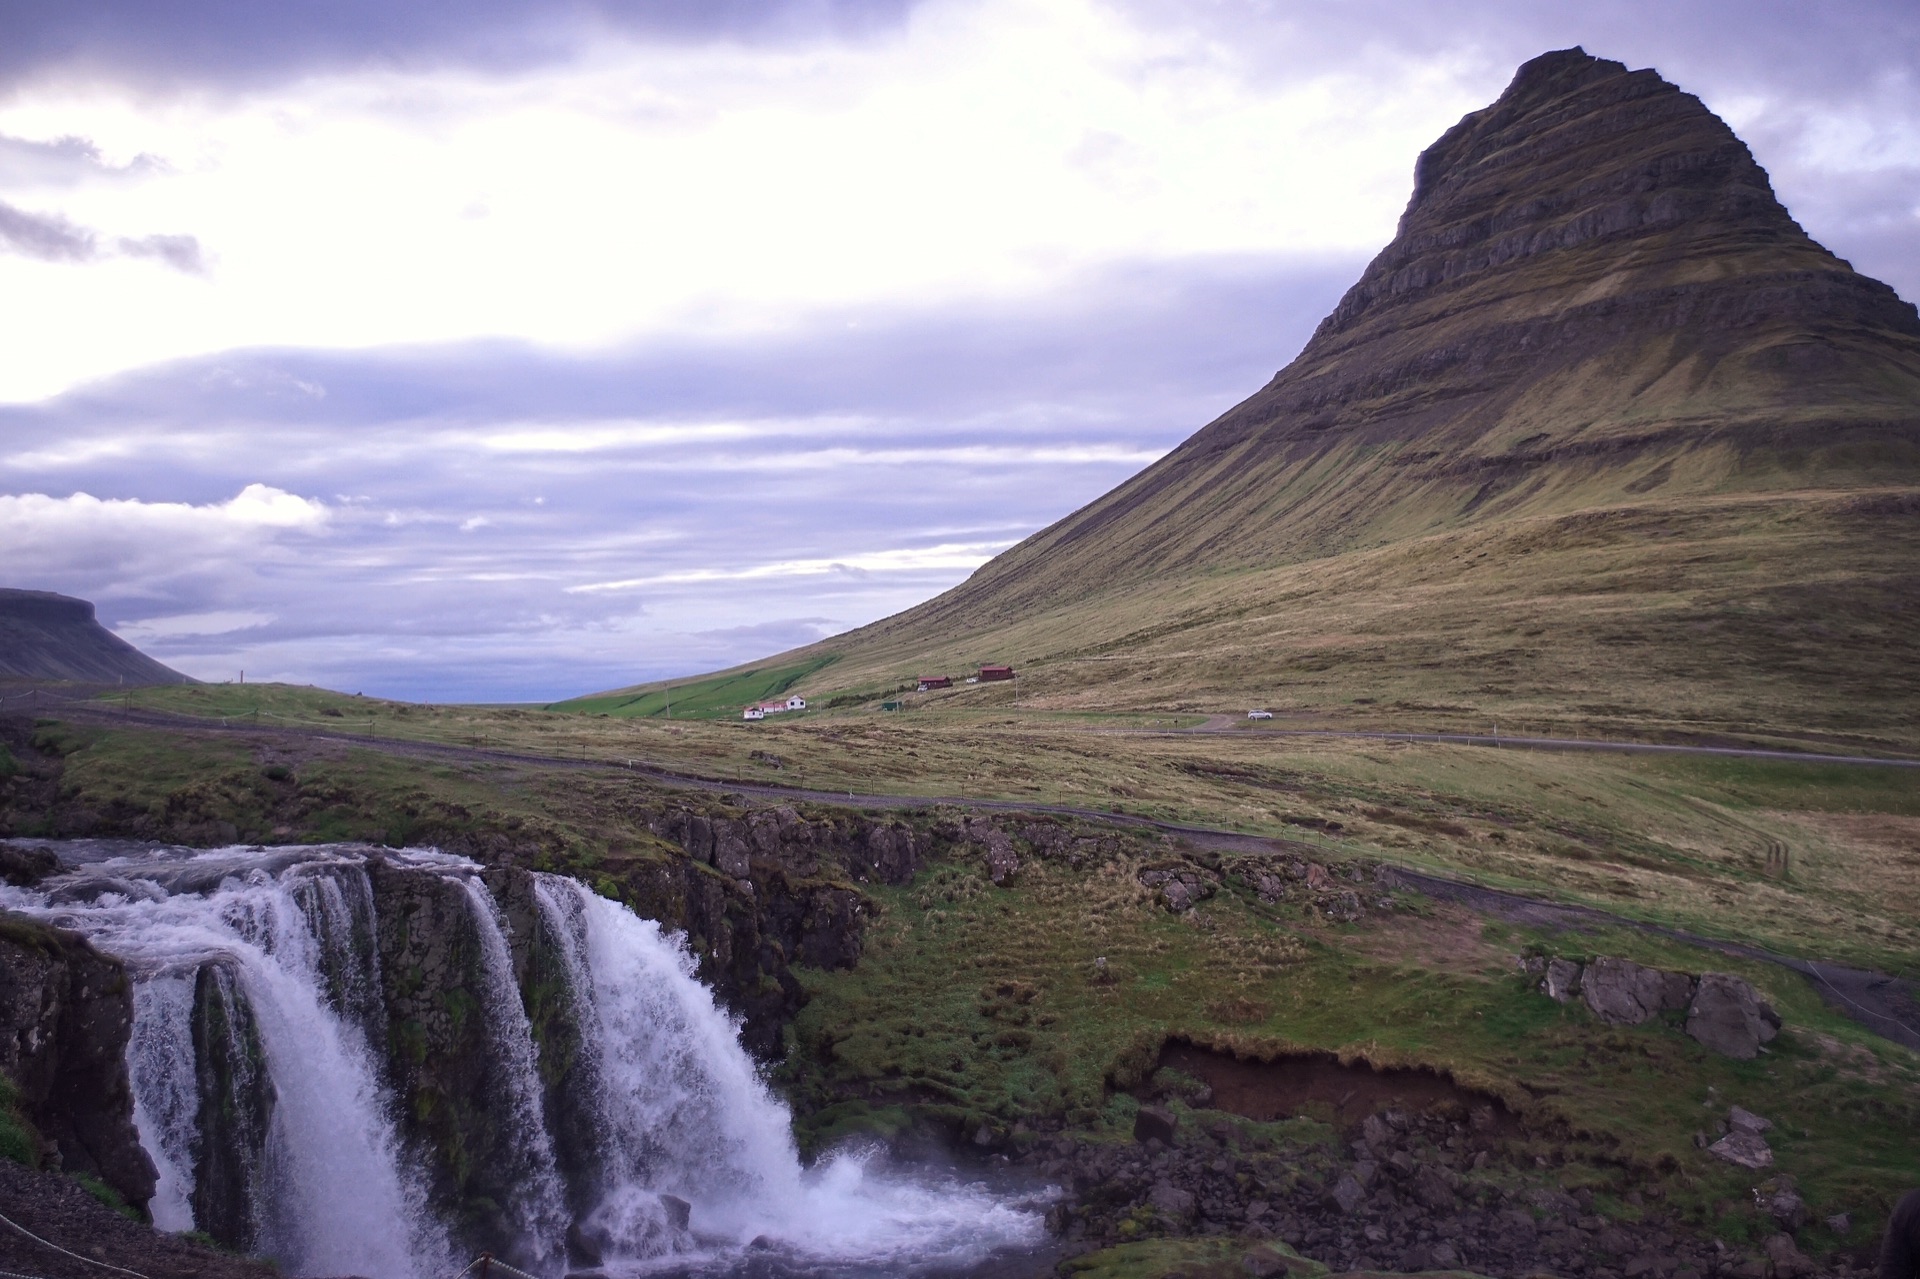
(66, 1013)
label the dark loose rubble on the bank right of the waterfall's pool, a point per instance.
(1406, 1194)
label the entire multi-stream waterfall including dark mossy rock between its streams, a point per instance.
(266, 1074)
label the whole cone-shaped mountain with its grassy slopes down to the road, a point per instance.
(1602, 435)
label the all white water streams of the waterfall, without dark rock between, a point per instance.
(673, 1103)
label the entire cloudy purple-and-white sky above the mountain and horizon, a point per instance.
(506, 350)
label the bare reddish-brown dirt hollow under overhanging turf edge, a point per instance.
(1322, 1086)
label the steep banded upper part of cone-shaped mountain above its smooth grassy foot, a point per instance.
(1593, 295)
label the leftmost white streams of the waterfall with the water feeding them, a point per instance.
(337, 1197)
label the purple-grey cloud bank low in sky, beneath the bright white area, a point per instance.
(492, 521)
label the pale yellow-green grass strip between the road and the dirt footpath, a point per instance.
(1808, 859)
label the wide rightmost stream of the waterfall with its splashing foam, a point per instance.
(688, 1115)
